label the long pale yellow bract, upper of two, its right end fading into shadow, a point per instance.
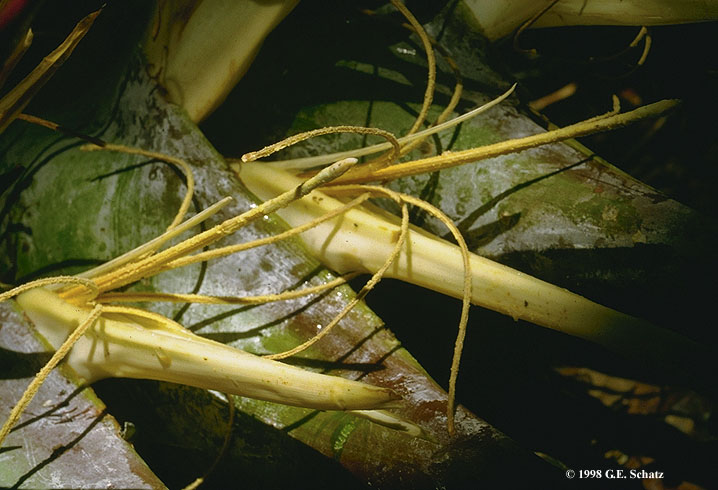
(363, 237)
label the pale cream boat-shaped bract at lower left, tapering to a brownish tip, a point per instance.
(119, 346)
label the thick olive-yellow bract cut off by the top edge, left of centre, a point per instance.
(199, 49)
